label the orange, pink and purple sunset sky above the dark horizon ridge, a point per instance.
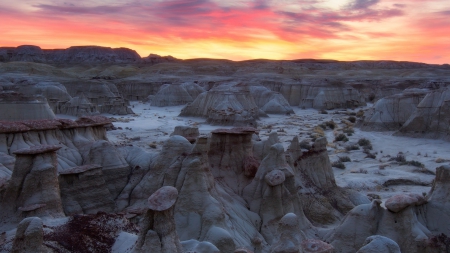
(402, 30)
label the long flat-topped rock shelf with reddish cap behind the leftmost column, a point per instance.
(82, 142)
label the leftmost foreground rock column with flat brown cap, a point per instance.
(33, 189)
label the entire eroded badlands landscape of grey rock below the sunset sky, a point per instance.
(104, 151)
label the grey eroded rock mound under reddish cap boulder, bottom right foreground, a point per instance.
(365, 220)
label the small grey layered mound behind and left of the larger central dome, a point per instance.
(176, 94)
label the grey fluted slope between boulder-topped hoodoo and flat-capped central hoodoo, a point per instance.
(206, 211)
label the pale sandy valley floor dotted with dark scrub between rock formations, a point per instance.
(150, 126)
